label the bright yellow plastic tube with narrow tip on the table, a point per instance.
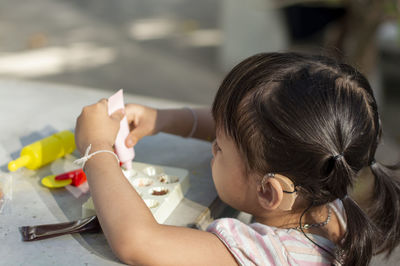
(44, 151)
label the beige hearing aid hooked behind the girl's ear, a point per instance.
(288, 188)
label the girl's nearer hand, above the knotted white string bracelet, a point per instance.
(94, 126)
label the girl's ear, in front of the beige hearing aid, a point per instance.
(270, 193)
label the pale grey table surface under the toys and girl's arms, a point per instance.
(31, 111)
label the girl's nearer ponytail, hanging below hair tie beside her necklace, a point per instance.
(357, 246)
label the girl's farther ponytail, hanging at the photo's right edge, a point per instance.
(385, 206)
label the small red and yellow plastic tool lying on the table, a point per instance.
(74, 178)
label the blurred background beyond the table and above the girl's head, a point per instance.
(181, 49)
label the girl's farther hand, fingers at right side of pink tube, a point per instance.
(142, 122)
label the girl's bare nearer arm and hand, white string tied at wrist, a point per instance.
(129, 226)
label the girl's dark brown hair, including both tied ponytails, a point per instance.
(294, 114)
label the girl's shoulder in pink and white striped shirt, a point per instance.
(259, 244)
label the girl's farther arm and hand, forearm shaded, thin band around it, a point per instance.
(145, 121)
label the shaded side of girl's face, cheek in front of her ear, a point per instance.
(234, 187)
